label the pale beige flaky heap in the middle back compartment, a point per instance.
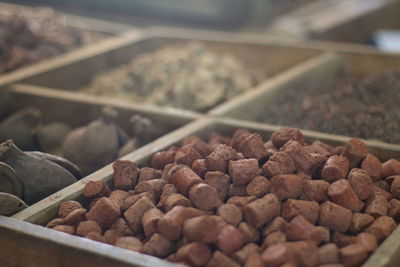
(183, 76)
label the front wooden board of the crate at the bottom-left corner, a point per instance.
(25, 244)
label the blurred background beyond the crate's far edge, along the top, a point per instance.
(373, 22)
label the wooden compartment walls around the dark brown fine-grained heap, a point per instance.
(252, 106)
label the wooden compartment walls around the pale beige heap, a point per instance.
(74, 73)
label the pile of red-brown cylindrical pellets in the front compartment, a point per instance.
(240, 201)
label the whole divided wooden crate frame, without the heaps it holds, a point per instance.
(287, 63)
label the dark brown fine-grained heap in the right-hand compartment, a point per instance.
(362, 108)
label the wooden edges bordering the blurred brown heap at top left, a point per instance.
(110, 29)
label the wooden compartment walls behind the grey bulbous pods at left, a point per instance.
(76, 111)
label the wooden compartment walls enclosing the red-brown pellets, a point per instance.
(43, 211)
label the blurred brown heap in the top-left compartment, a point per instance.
(29, 34)
